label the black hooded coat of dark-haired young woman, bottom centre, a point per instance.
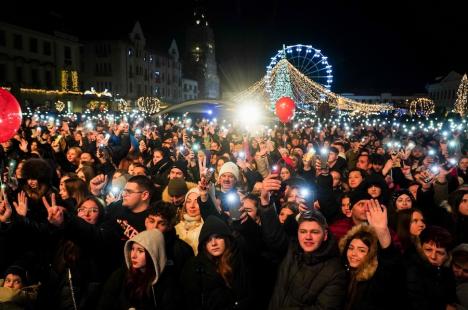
(204, 287)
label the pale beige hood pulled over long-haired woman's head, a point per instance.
(153, 242)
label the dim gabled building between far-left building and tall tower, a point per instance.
(130, 69)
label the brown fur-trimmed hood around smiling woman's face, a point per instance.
(368, 267)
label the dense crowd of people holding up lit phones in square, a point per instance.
(343, 213)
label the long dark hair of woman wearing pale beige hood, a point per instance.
(138, 282)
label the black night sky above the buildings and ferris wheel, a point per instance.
(384, 46)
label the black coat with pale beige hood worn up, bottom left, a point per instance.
(163, 293)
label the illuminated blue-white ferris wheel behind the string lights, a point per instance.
(308, 60)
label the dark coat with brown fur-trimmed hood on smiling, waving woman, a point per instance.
(378, 277)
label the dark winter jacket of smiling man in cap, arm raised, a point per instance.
(305, 280)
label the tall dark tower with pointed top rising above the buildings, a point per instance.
(200, 56)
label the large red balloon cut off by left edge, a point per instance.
(10, 115)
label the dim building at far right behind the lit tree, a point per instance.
(443, 91)
